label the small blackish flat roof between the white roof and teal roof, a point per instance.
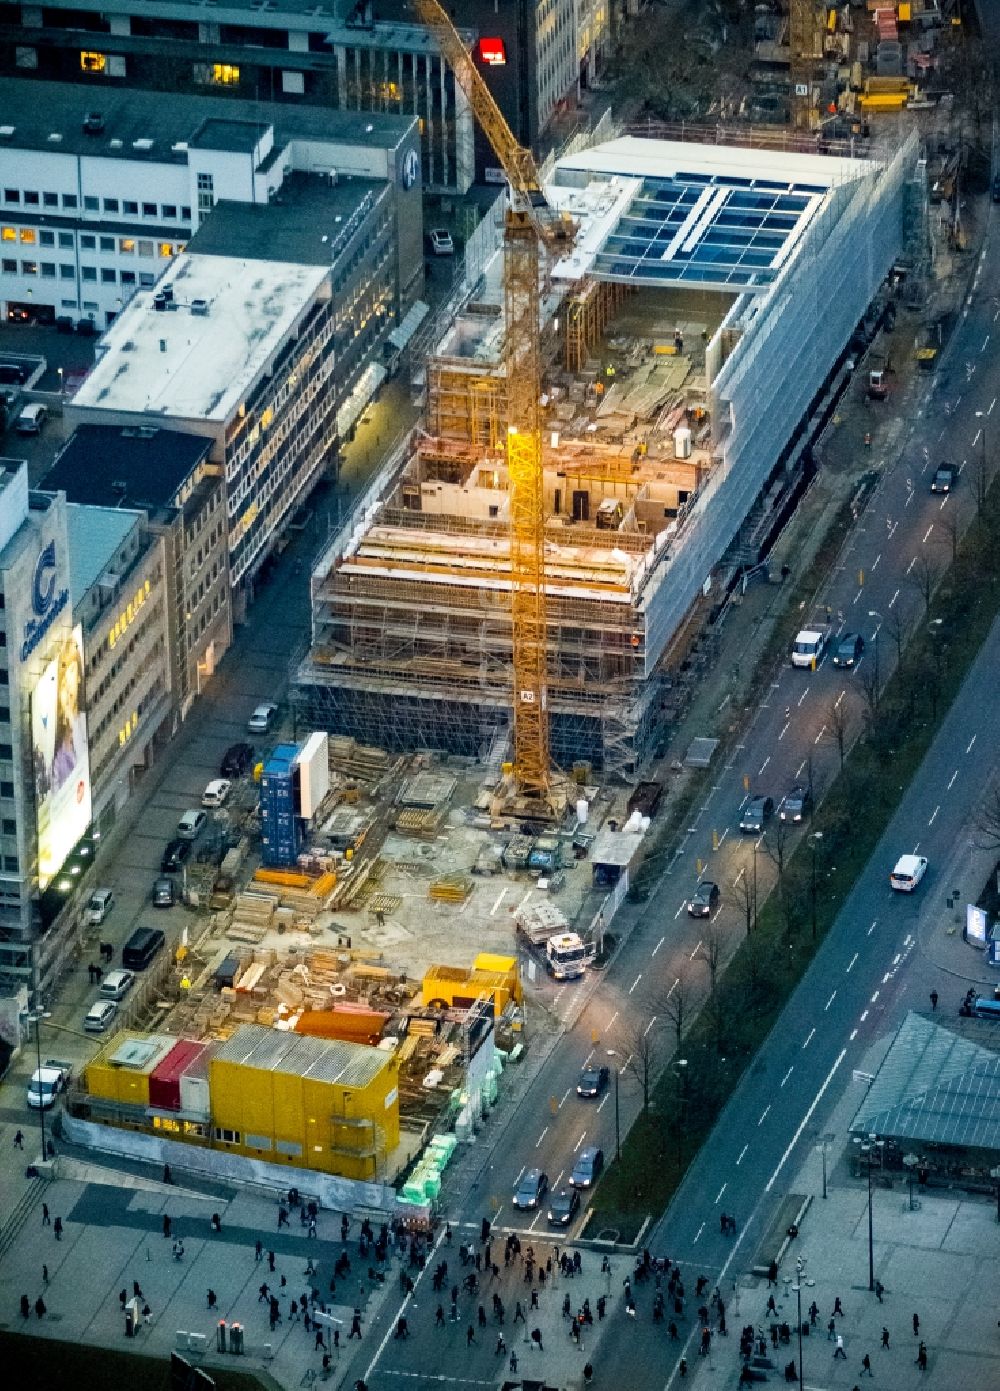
(109, 467)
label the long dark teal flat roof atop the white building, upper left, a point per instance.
(37, 112)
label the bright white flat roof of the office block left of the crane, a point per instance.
(200, 367)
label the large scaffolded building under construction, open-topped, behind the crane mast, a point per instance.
(693, 337)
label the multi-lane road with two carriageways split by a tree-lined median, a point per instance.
(905, 532)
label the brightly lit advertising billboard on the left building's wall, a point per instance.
(61, 756)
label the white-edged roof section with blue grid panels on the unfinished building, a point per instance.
(674, 214)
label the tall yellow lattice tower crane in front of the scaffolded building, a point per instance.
(531, 229)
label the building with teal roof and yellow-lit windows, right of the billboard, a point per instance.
(119, 584)
